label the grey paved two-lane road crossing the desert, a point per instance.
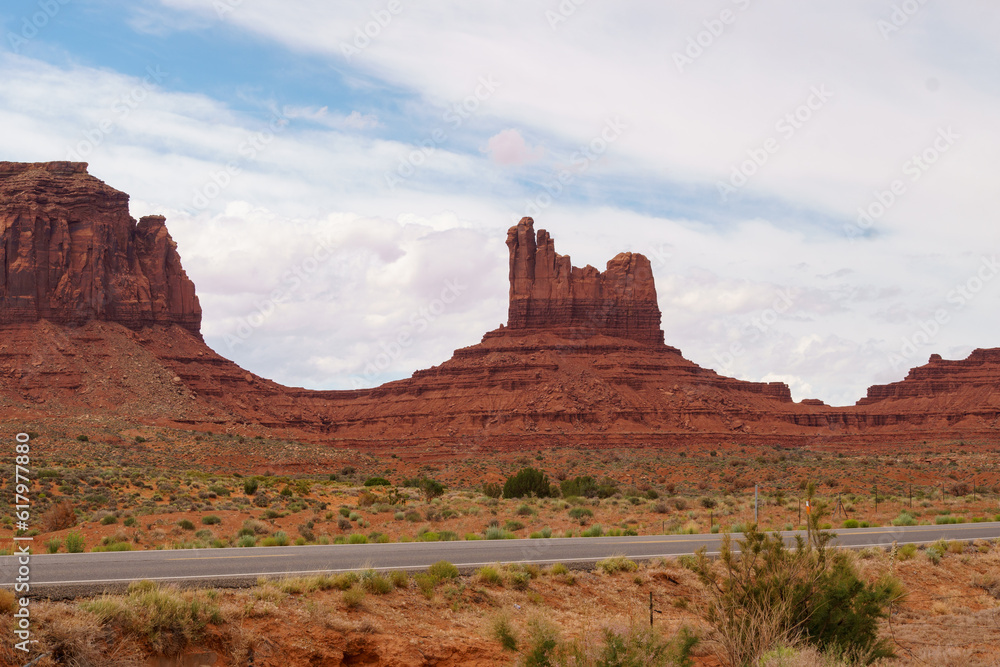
(240, 565)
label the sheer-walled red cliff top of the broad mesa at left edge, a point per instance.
(70, 253)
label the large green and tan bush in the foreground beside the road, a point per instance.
(767, 593)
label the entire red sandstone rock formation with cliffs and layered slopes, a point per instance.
(97, 317)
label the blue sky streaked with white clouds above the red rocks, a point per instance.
(811, 181)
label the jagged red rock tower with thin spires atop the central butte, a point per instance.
(547, 292)
